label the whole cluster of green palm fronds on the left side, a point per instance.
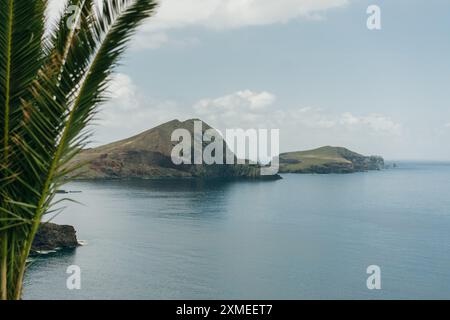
(50, 88)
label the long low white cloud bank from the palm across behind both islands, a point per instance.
(242, 109)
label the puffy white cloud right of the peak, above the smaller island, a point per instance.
(255, 109)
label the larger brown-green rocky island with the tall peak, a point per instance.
(148, 155)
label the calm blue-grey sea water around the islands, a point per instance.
(303, 237)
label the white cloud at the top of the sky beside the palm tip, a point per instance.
(218, 14)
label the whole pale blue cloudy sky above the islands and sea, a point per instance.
(310, 68)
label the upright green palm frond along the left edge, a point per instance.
(21, 31)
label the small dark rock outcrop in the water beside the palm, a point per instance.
(51, 236)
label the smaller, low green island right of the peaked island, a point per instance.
(328, 160)
